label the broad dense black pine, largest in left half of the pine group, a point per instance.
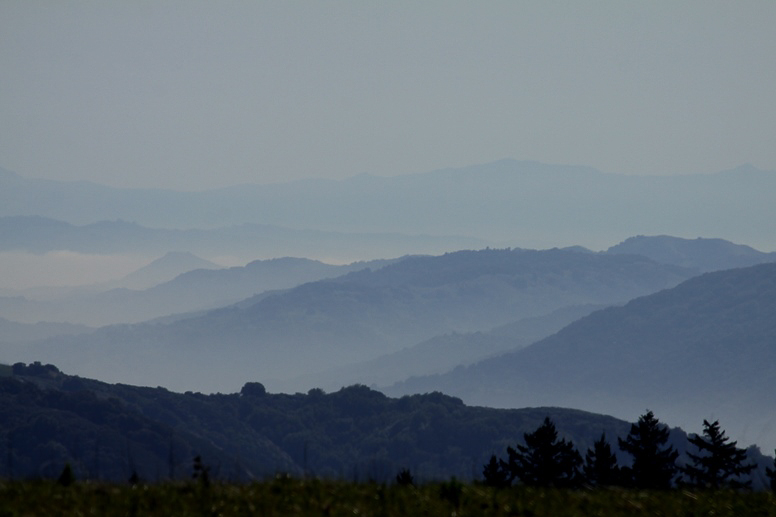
(545, 461)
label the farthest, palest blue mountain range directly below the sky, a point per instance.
(514, 202)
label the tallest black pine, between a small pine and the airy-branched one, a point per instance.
(653, 466)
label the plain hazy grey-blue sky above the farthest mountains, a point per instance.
(193, 95)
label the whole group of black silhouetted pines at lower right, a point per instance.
(545, 461)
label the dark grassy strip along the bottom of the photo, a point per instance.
(285, 496)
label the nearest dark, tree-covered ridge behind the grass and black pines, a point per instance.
(118, 432)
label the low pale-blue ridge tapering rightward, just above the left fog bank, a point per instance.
(37, 234)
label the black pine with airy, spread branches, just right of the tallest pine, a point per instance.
(717, 461)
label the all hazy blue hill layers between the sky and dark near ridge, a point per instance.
(445, 312)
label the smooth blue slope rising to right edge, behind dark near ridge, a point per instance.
(704, 349)
